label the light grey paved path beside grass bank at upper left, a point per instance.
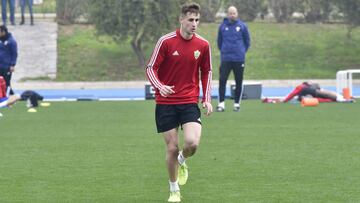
(37, 52)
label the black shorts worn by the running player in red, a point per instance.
(171, 116)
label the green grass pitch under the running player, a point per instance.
(110, 152)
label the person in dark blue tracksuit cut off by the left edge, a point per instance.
(8, 56)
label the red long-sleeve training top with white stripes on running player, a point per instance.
(181, 63)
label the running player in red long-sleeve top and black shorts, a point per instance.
(180, 59)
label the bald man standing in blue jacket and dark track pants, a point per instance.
(233, 42)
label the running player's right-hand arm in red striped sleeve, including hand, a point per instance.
(206, 77)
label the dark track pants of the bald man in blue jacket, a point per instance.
(238, 69)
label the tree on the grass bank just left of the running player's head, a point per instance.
(136, 21)
